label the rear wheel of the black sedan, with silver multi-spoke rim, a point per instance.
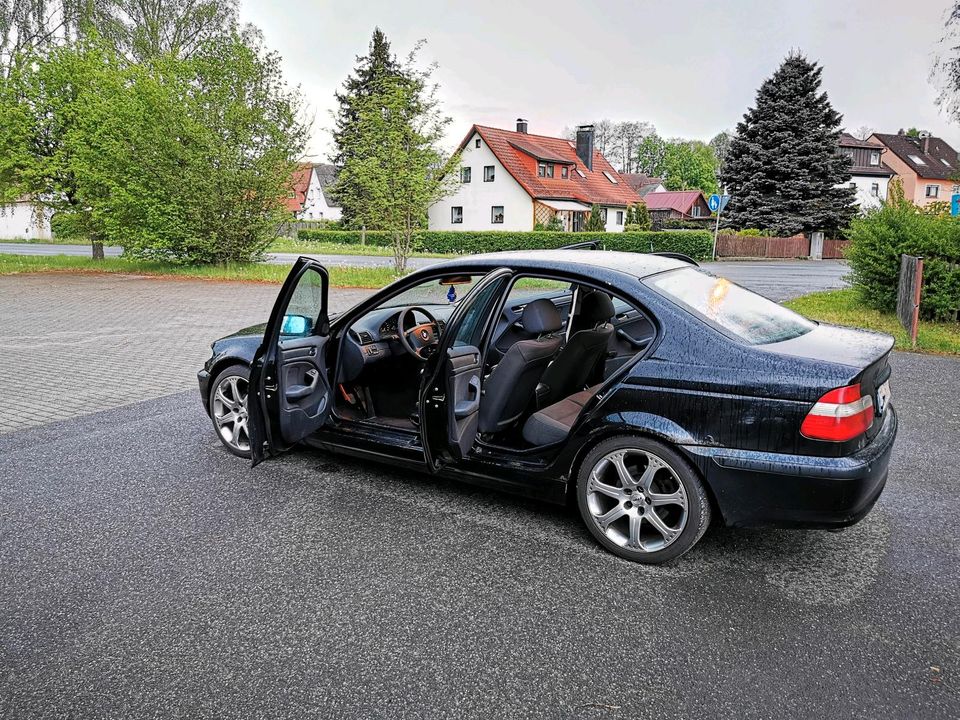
(618, 499)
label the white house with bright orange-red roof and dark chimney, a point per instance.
(512, 180)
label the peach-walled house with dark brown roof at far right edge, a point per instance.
(926, 165)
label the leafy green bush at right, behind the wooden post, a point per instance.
(879, 238)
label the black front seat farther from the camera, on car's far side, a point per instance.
(576, 363)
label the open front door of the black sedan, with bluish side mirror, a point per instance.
(290, 394)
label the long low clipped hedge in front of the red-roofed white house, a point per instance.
(698, 244)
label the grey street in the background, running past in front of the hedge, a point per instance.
(777, 279)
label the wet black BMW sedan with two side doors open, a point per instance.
(653, 395)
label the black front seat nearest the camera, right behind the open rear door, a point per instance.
(509, 389)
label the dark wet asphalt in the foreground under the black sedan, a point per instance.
(147, 573)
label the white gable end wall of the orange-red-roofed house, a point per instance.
(477, 197)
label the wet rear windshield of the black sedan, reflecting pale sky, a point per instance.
(745, 314)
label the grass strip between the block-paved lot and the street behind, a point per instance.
(340, 276)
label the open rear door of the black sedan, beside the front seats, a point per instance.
(453, 378)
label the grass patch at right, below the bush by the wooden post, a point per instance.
(841, 307)
